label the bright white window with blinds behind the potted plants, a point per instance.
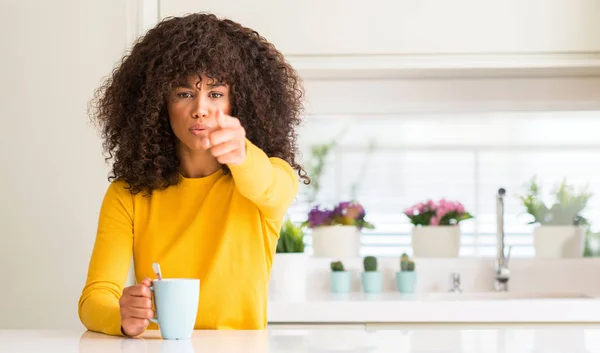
(464, 157)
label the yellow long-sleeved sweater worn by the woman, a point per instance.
(222, 229)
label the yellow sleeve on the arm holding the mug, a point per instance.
(109, 264)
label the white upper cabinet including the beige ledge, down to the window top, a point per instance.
(391, 45)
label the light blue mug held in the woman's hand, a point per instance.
(176, 304)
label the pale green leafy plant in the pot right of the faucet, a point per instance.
(565, 210)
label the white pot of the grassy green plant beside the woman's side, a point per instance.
(288, 276)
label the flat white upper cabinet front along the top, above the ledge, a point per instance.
(357, 27)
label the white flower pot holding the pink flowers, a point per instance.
(436, 241)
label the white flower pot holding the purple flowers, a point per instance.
(336, 241)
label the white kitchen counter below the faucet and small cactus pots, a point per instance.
(401, 308)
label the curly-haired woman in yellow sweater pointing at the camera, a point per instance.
(200, 119)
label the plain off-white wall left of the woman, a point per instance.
(54, 54)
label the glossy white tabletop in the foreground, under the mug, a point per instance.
(572, 339)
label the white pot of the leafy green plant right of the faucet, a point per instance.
(553, 242)
